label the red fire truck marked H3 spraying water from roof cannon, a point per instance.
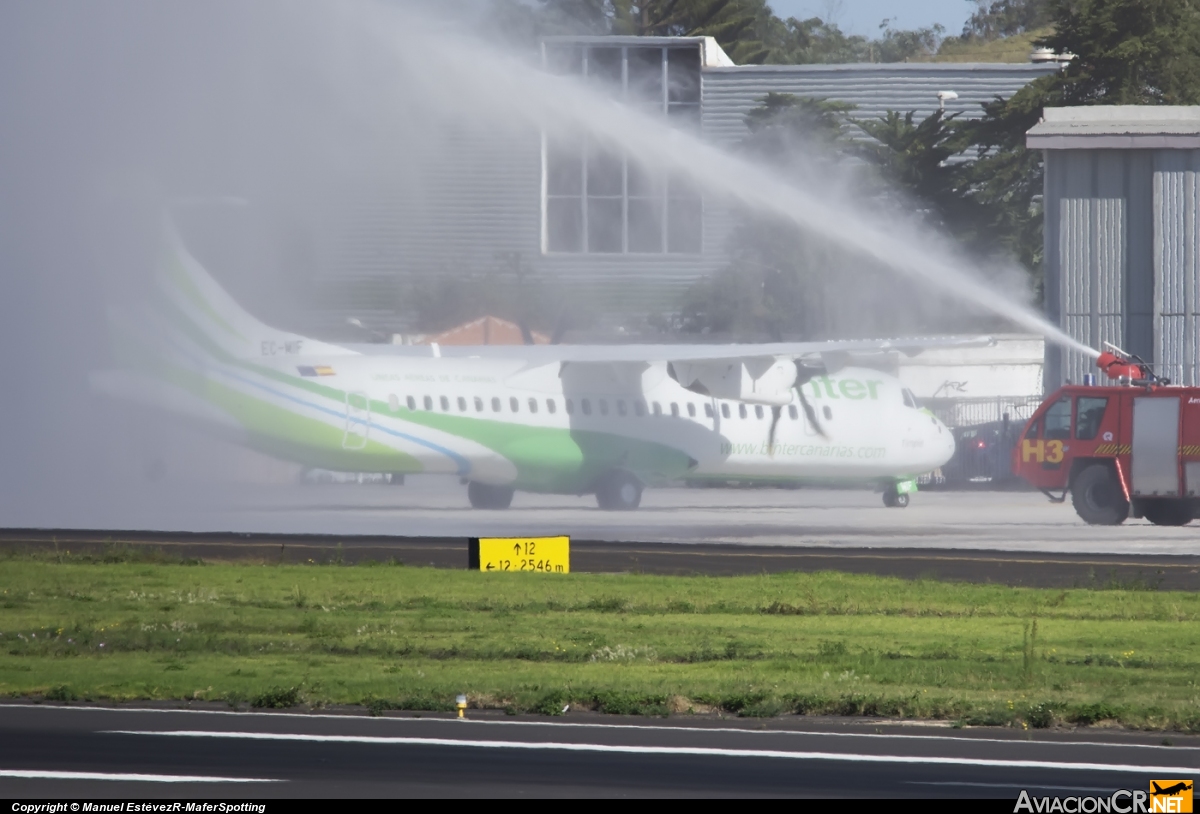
(1131, 448)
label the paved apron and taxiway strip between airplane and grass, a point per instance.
(1017, 538)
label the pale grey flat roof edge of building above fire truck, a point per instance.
(1118, 127)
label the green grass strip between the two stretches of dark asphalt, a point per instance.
(413, 638)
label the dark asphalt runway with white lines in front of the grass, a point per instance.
(77, 752)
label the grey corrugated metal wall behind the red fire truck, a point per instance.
(1121, 238)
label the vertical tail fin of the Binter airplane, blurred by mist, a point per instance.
(217, 316)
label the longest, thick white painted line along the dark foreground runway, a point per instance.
(1165, 771)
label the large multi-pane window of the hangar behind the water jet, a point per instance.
(599, 201)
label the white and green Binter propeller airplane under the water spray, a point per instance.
(603, 421)
